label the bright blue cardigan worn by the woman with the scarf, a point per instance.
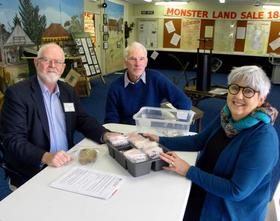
(239, 187)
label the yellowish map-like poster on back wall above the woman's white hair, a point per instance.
(257, 35)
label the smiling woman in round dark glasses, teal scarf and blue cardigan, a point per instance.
(238, 150)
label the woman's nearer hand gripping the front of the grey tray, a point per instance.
(176, 164)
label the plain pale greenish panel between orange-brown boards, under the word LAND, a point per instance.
(224, 35)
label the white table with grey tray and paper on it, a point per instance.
(158, 195)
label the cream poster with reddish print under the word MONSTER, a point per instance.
(190, 33)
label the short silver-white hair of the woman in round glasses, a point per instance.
(251, 76)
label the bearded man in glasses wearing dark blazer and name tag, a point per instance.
(40, 115)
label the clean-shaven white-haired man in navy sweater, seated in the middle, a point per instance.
(140, 87)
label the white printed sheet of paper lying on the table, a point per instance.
(88, 182)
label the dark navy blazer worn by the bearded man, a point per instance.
(24, 124)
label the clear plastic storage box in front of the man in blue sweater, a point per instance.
(167, 122)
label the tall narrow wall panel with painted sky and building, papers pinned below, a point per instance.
(115, 44)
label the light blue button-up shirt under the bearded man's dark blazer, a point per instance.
(56, 119)
